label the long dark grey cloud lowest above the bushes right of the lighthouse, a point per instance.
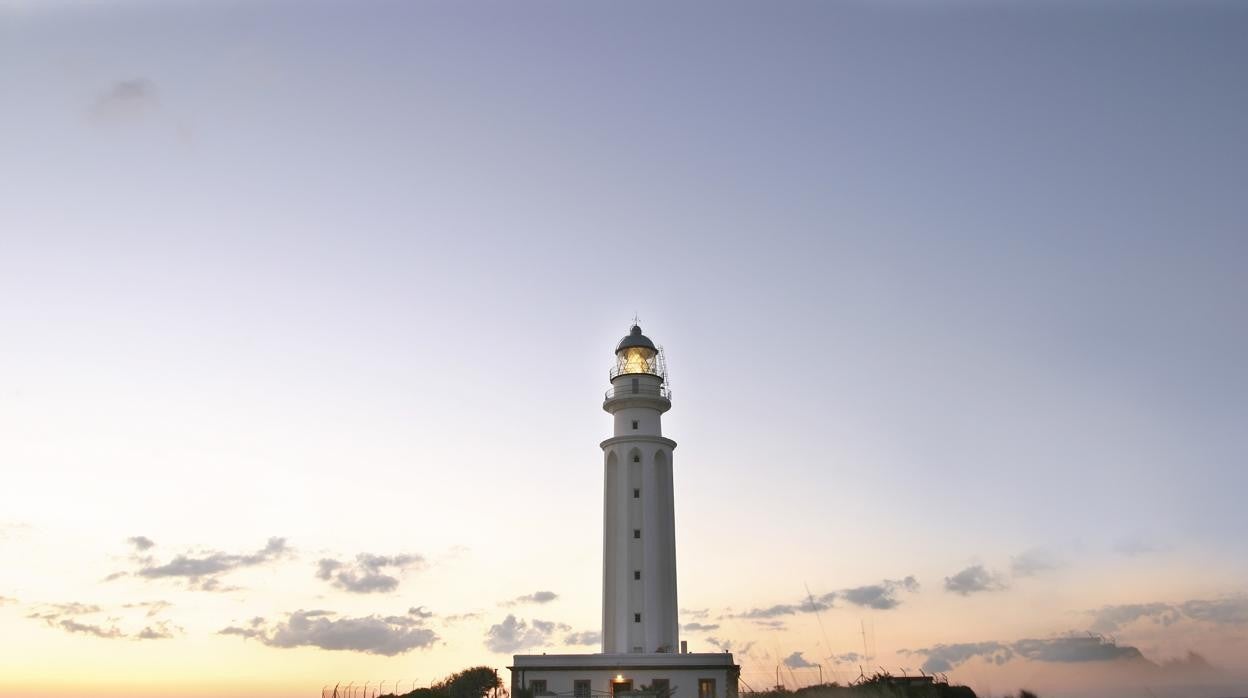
(1063, 650)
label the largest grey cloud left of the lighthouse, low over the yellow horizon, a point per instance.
(371, 635)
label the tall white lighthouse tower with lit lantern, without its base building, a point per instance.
(640, 539)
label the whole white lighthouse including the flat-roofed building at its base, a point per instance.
(642, 649)
